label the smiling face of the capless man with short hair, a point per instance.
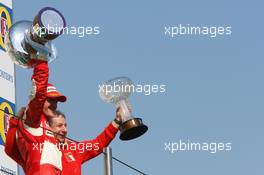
(59, 126)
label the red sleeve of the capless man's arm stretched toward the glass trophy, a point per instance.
(98, 144)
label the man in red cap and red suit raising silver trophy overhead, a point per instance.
(29, 141)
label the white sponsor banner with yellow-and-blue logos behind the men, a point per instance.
(7, 88)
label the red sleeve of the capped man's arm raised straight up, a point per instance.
(39, 82)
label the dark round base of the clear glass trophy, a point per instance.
(132, 129)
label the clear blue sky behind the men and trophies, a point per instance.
(214, 87)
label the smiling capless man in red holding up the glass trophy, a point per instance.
(74, 154)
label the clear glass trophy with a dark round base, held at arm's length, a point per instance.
(117, 91)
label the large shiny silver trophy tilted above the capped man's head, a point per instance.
(27, 41)
